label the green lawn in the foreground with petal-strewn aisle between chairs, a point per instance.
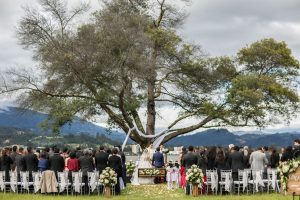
(144, 193)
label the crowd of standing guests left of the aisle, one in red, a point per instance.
(57, 160)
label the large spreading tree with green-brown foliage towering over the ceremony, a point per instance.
(129, 57)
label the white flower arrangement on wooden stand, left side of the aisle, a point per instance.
(108, 177)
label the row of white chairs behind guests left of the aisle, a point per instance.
(63, 183)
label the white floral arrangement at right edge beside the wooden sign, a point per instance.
(284, 169)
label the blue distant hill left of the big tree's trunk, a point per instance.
(30, 120)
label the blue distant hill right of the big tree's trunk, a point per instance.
(222, 137)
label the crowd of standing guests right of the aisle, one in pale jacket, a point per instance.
(235, 158)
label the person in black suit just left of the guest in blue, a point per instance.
(30, 162)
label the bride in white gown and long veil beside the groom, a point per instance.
(144, 162)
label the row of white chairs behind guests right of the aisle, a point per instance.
(248, 180)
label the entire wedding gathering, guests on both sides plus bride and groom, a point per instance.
(206, 158)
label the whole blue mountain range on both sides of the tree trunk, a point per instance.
(29, 120)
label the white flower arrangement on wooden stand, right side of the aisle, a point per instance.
(194, 176)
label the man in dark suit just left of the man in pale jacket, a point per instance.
(236, 161)
